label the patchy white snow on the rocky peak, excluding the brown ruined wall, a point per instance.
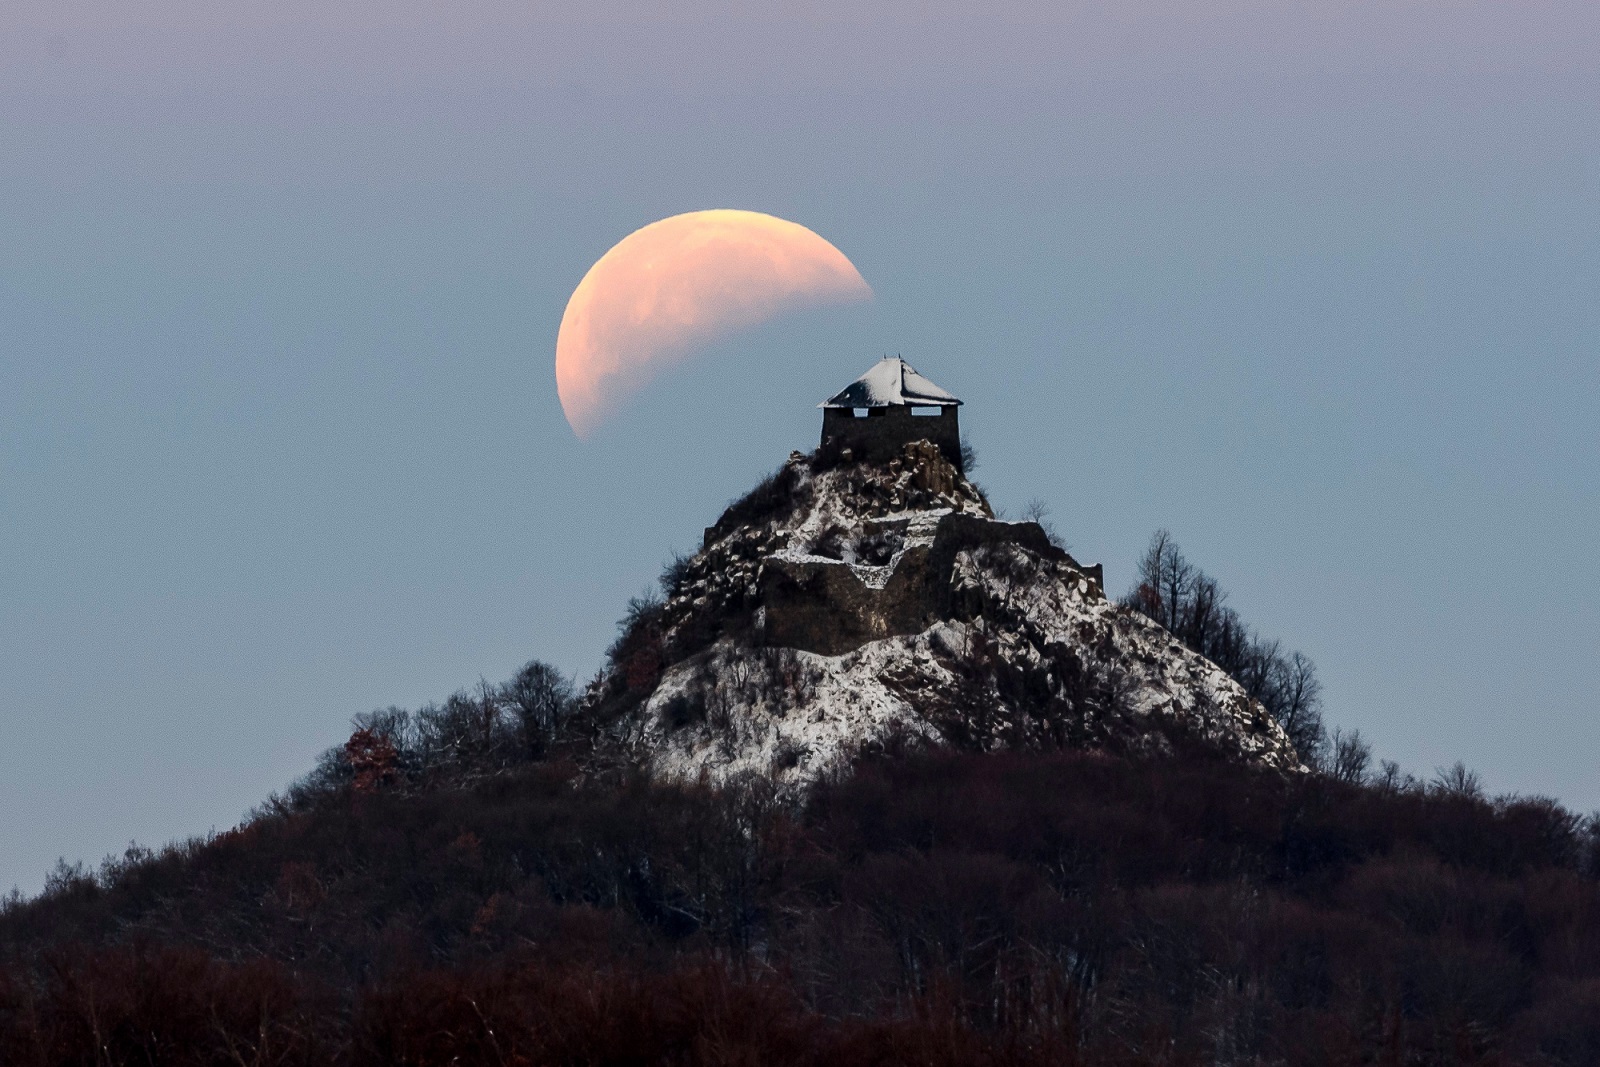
(1030, 634)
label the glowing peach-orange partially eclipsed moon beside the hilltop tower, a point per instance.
(673, 287)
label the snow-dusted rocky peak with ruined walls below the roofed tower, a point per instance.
(858, 605)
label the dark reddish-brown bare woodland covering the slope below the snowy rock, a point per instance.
(932, 908)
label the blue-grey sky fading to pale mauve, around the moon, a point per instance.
(1311, 286)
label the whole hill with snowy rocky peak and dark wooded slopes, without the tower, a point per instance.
(881, 778)
